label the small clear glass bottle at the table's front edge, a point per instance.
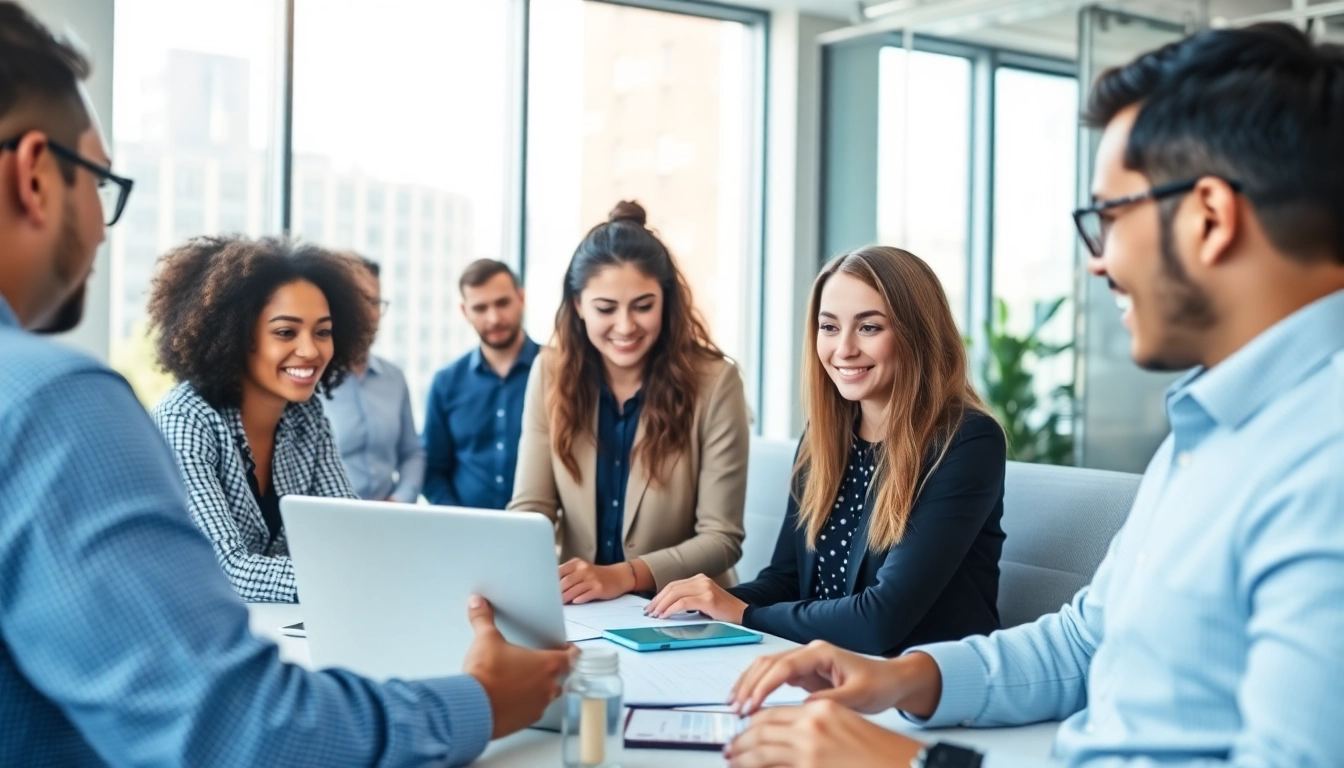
(591, 735)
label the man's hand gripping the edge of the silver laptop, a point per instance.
(518, 681)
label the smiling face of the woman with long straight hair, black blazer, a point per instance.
(857, 342)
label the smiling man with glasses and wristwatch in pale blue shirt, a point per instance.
(1212, 634)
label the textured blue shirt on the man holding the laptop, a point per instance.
(120, 640)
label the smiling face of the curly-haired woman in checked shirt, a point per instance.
(292, 345)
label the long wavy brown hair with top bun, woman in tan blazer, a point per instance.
(674, 364)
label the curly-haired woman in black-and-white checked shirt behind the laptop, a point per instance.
(253, 329)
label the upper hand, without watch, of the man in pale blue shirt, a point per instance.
(829, 673)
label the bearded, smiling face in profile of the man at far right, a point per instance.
(1165, 310)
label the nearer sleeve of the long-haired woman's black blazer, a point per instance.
(948, 517)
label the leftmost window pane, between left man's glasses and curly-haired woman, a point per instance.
(194, 89)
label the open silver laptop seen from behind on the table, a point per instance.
(384, 587)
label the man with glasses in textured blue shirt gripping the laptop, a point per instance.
(122, 642)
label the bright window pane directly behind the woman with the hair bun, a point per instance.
(659, 108)
